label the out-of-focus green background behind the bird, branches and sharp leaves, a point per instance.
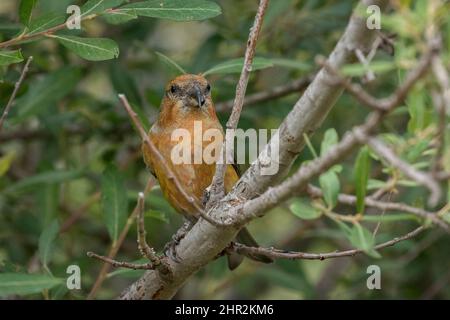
(68, 126)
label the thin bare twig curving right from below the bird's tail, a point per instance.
(282, 254)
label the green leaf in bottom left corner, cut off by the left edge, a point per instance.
(22, 284)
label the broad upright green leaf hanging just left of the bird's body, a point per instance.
(114, 201)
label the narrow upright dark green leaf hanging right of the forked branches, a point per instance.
(361, 177)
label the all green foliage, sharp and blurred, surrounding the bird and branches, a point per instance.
(67, 140)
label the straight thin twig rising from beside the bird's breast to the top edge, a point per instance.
(217, 188)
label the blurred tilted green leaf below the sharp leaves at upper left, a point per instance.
(50, 89)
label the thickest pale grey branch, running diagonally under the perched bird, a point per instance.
(205, 241)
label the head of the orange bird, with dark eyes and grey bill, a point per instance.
(189, 92)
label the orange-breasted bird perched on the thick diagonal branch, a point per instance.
(187, 103)
